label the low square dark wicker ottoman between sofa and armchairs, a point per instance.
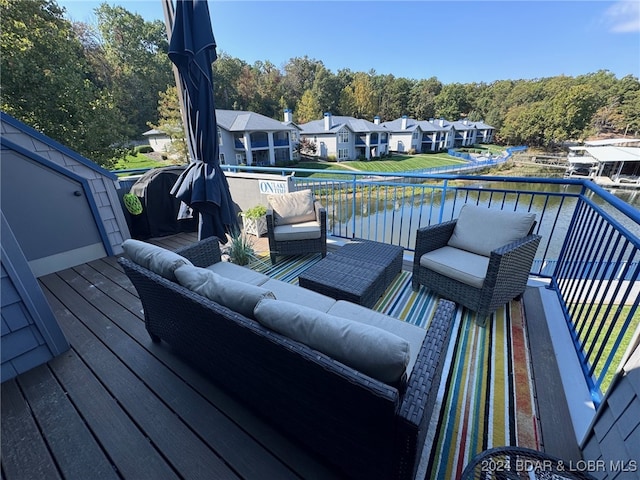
(359, 272)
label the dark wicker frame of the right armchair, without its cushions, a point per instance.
(505, 278)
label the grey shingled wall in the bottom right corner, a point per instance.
(614, 439)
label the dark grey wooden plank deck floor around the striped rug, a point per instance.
(118, 406)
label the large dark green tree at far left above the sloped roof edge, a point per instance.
(47, 81)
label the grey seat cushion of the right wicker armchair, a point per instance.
(466, 267)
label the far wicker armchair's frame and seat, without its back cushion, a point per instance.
(297, 240)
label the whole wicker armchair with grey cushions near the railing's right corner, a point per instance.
(480, 260)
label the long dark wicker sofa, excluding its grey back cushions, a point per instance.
(364, 427)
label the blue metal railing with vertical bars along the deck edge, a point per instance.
(589, 250)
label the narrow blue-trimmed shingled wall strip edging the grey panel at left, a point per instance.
(102, 184)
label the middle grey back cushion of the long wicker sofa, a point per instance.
(238, 296)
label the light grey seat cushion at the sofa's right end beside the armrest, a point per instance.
(411, 333)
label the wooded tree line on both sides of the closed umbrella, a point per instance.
(95, 86)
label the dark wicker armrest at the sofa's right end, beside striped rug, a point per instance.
(416, 408)
